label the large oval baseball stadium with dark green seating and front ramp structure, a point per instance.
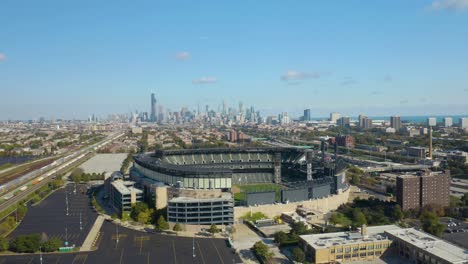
(202, 185)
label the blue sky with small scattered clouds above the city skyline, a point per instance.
(71, 59)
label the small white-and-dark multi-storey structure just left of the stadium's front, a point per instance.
(122, 195)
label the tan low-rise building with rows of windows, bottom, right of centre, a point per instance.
(366, 244)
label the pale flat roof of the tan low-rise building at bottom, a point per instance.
(374, 233)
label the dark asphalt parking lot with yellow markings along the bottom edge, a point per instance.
(138, 247)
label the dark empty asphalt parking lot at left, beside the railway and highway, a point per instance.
(50, 216)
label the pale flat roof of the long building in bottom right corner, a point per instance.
(431, 244)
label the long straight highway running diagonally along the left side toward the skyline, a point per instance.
(48, 172)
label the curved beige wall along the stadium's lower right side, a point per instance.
(324, 205)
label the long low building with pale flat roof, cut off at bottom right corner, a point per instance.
(414, 246)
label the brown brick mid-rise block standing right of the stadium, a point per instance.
(423, 188)
